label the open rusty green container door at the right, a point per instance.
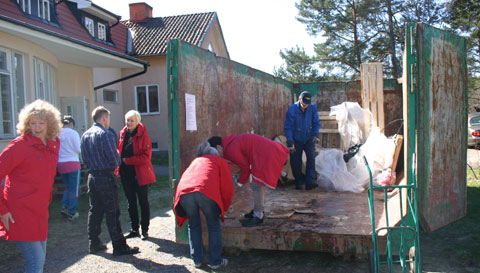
(435, 92)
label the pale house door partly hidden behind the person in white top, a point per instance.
(77, 108)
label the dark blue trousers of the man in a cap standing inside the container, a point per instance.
(296, 162)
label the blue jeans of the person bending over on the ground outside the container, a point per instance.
(191, 204)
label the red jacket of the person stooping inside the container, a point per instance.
(256, 155)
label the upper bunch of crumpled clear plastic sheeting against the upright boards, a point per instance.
(354, 123)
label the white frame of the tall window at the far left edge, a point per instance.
(14, 103)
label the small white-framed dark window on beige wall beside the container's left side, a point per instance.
(147, 99)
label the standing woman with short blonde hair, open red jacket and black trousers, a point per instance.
(136, 171)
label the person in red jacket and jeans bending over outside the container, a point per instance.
(207, 185)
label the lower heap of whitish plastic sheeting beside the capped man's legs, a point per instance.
(332, 172)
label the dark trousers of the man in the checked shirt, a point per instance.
(103, 193)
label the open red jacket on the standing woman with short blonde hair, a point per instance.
(142, 155)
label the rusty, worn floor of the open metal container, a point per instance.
(316, 220)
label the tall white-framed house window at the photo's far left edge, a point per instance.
(12, 93)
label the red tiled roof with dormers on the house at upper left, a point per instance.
(69, 26)
